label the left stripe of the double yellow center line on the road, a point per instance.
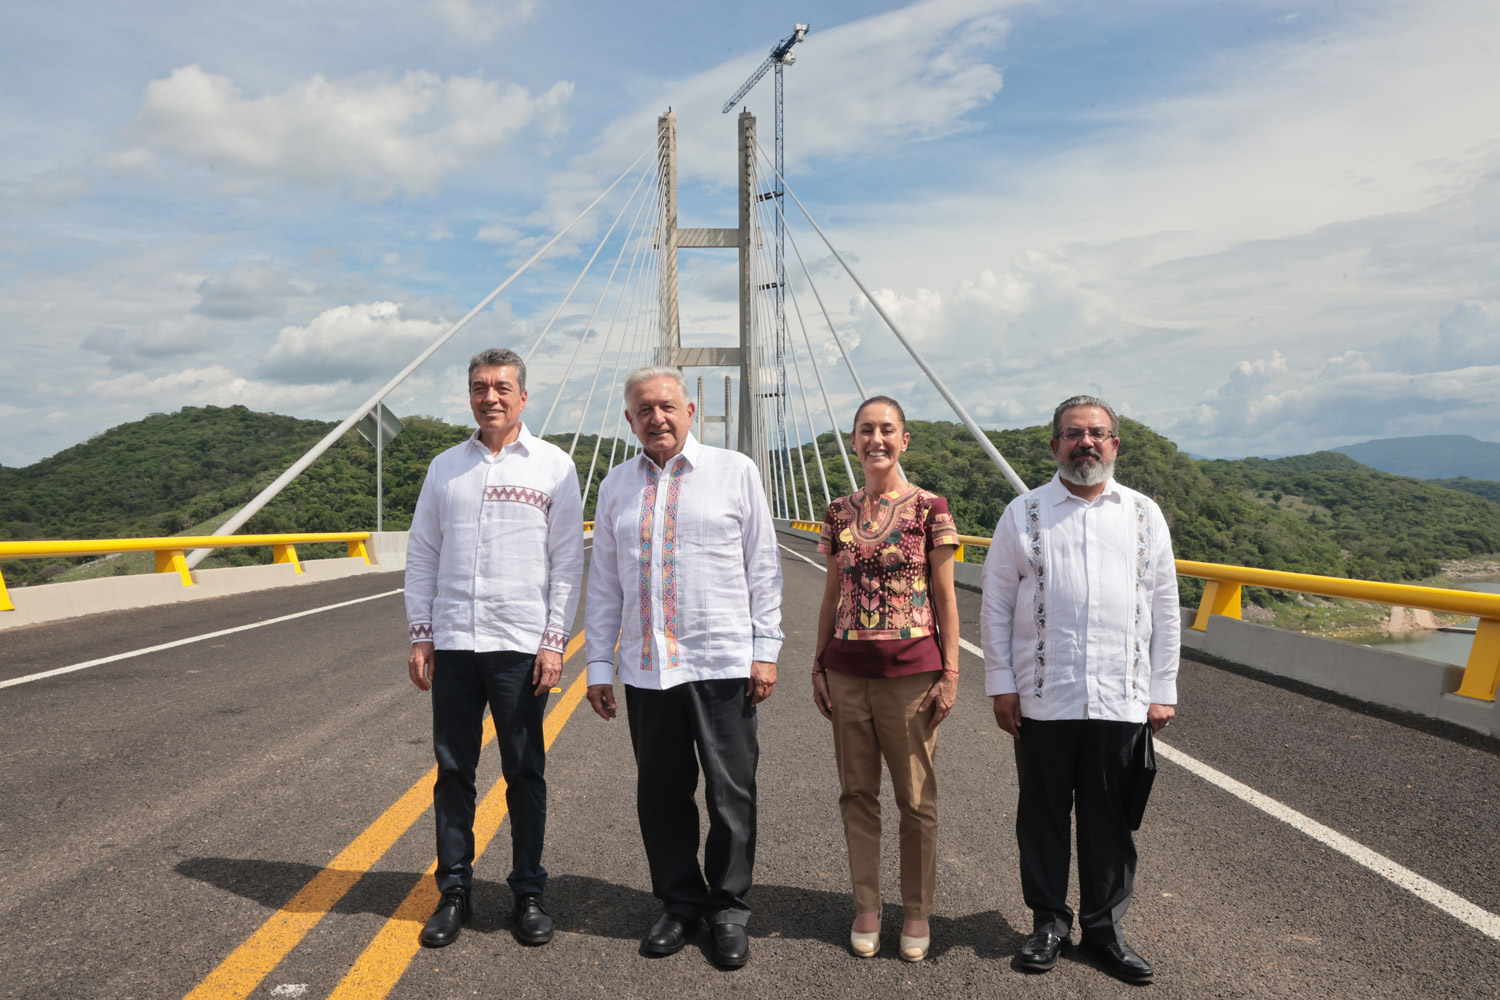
(247, 966)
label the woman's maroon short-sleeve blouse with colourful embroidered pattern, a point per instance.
(886, 624)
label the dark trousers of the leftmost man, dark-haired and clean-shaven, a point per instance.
(463, 684)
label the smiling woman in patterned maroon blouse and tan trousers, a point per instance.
(887, 668)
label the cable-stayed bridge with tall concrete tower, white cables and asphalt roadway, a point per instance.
(229, 798)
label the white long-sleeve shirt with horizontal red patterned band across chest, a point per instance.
(496, 552)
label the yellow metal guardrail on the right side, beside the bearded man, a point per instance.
(1225, 584)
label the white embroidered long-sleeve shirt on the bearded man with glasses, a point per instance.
(1081, 605)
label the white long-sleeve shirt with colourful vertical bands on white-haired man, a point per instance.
(686, 572)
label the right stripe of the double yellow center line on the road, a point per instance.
(391, 953)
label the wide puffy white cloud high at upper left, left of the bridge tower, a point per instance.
(376, 134)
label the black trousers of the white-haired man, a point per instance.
(673, 731)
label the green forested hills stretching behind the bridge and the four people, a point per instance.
(1316, 513)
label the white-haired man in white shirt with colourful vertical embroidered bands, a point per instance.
(688, 576)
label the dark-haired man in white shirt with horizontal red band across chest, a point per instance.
(494, 569)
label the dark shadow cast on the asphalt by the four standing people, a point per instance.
(584, 905)
